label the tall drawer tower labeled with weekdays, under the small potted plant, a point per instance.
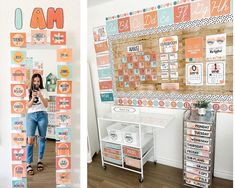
(198, 148)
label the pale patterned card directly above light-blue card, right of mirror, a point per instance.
(63, 119)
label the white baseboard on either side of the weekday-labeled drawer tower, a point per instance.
(178, 164)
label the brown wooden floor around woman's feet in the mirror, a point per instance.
(46, 178)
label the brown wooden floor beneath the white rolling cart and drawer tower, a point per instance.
(155, 176)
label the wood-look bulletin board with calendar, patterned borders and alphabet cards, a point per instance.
(183, 35)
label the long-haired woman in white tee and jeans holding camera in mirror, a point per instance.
(37, 118)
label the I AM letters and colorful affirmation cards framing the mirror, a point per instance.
(21, 69)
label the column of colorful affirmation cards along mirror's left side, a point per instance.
(18, 109)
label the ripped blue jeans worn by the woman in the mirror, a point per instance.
(34, 120)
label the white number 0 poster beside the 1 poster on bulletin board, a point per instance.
(194, 74)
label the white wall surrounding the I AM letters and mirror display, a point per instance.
(72, 26)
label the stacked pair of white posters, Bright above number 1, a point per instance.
(216, 59)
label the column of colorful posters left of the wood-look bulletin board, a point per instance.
(103, 64)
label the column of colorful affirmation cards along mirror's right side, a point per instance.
(63, 117)
